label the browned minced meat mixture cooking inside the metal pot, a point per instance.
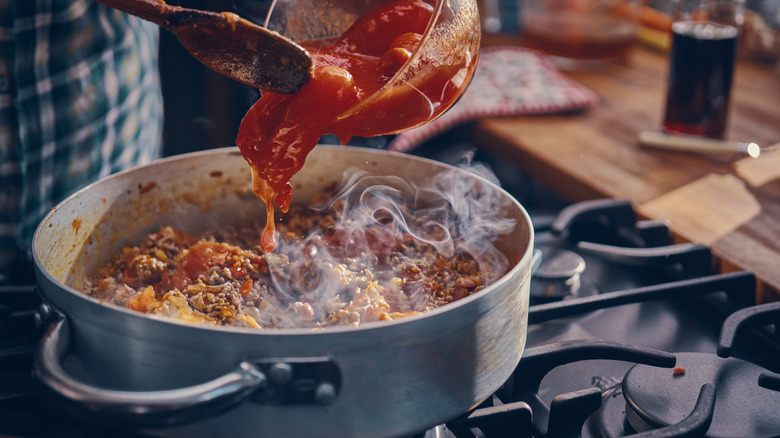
(323, 274)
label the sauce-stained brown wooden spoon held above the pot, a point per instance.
(229, 44)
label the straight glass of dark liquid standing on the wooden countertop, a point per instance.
(701, 67)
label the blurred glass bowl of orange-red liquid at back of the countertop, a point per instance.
(580, 29)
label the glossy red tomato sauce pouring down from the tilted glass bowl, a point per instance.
(279, 131)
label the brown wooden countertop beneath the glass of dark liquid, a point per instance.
(729, 203)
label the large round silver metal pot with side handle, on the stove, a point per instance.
(168, 378)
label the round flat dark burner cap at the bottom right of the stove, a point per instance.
(658, 397)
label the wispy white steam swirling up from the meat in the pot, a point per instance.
(352, 266)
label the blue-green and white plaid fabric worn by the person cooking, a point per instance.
(80, 99)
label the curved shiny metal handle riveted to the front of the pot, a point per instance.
(268, 381)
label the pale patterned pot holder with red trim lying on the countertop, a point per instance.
(508, 81)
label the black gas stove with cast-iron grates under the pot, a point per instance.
(630, 334)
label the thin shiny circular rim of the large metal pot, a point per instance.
(522, 262)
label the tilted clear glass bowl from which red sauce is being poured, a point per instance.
(425, 86)
